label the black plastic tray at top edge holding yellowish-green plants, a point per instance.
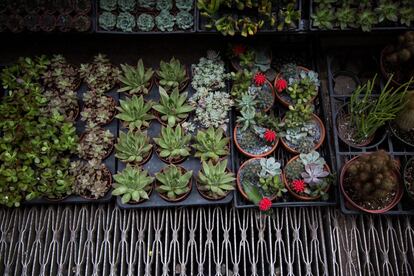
(301, 26)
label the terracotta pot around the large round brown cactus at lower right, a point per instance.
(396, 200)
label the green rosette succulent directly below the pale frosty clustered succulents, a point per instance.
(211, 144)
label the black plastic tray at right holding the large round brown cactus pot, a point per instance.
(346, 62)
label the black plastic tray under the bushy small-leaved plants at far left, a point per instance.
(109, 162)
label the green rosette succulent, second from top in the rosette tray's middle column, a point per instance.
(172, 109)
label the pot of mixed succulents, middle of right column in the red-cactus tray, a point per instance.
(301, 131)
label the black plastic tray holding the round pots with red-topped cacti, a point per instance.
(300, 56)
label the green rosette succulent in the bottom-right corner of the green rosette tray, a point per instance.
(214, 181)
